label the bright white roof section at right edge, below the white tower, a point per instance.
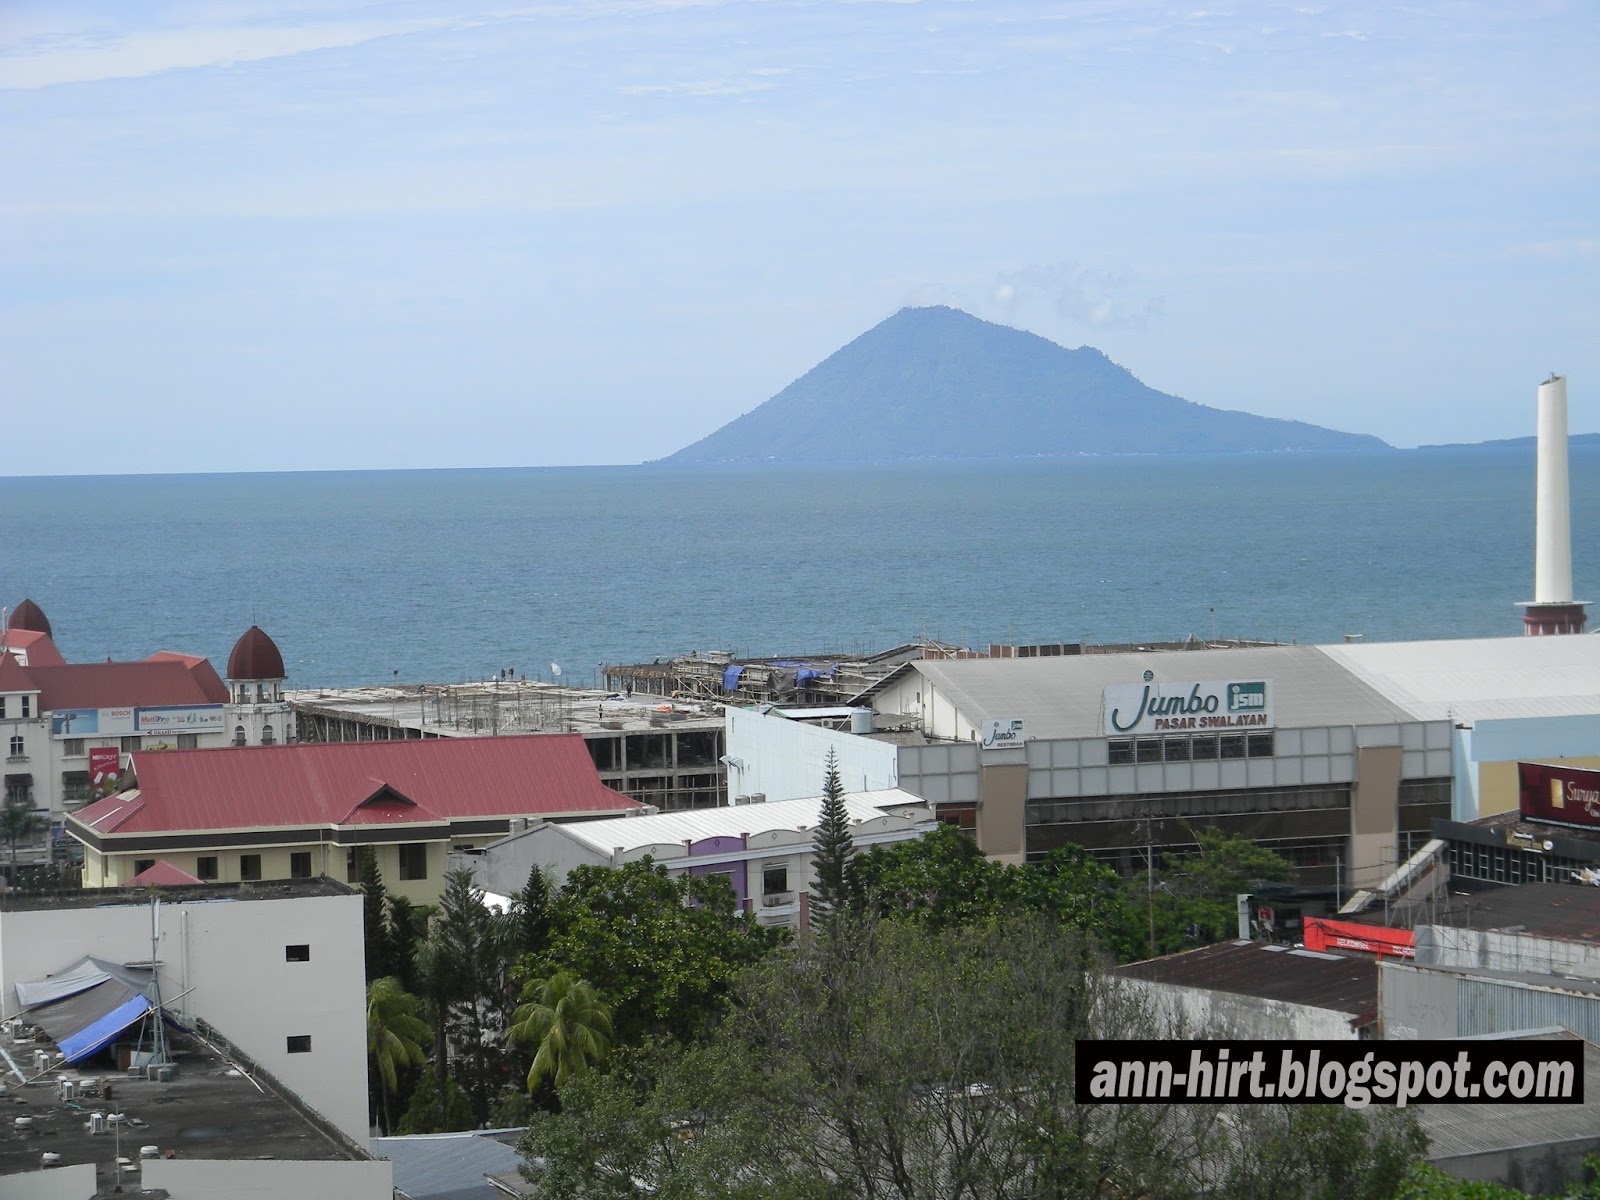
(1481, 679)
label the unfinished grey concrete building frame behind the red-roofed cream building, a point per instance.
(658, 753)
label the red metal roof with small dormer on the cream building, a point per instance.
(358, 783)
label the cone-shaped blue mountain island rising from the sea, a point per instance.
(943, 385)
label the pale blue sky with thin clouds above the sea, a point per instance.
(332, 234)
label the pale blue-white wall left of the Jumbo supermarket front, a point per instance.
(786, 759)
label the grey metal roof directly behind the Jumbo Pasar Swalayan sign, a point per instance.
(1063, 697)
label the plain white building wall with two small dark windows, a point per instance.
(230, 958)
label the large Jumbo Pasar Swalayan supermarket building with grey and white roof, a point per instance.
(1338, 758)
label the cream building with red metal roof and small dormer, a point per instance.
(302, 812)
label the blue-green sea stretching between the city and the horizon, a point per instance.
(457, 575)
